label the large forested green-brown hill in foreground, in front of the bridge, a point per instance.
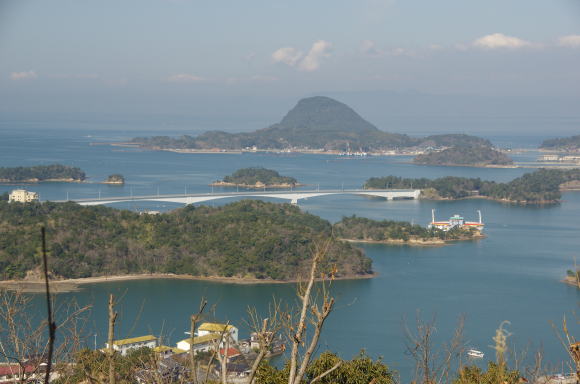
(245, 240)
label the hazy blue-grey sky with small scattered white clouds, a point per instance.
(240, 65)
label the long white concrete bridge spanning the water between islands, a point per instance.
(293, 196)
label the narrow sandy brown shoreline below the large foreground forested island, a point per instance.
(75, 285)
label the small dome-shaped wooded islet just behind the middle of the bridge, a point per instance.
(257, 178)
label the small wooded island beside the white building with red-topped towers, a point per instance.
(360, 229)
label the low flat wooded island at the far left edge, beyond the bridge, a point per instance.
(40, 173)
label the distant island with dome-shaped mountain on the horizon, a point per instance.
(314, 123)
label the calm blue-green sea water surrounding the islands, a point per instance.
(512, 275)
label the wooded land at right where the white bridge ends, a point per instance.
(541, 186)
